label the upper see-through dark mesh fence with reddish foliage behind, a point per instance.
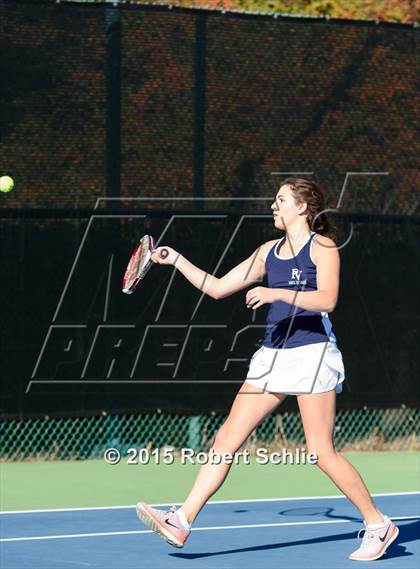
(144, 101)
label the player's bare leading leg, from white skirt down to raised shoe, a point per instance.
(250, 407)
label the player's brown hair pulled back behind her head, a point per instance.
(309, 192)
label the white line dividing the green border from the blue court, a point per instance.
(210, 503)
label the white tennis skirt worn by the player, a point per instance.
(313, 368)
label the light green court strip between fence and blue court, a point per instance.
(93, 483)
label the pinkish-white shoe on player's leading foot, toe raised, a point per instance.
(166, 524)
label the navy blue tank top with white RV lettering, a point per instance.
(289, 326)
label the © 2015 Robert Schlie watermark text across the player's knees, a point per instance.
(144, 456)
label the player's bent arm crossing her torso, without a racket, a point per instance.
(324, 299)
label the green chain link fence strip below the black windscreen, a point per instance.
(88, 437)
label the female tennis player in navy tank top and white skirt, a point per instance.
(299, 356)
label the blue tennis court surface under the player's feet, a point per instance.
(249, 533)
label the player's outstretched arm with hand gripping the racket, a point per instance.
(249, 271)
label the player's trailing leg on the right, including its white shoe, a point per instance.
(318, 418)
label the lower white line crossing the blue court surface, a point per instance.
(209, 528)
